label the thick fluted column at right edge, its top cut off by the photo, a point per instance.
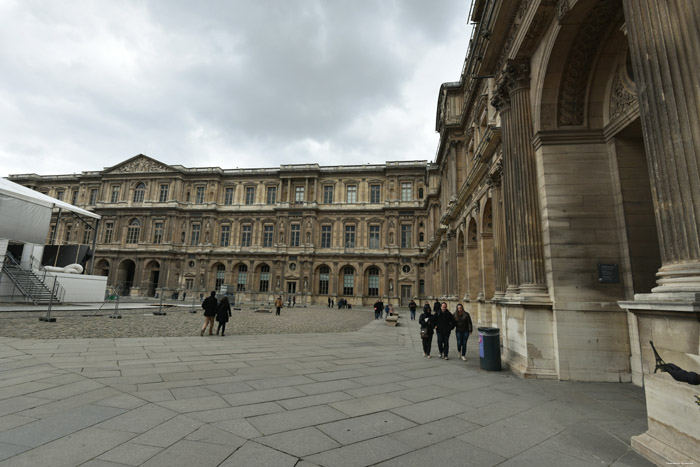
(663, 41)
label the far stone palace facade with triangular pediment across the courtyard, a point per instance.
(303, 231)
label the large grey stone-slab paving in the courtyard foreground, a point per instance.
(358, 398)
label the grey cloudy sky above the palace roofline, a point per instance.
(231, 83)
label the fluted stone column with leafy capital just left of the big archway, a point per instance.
(527, 210)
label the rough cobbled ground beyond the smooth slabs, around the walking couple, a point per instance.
(178, 322)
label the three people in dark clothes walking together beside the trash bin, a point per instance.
(439, 320)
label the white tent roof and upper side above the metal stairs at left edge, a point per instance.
(25, 214)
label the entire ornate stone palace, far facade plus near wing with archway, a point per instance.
(563, 206)
